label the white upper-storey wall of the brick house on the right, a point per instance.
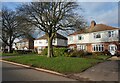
(89, 37)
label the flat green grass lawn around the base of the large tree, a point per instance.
(60, 64)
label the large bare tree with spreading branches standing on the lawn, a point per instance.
(51, 17)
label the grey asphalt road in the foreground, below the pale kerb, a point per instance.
(17, 73)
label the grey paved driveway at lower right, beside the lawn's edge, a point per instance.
(106, 71)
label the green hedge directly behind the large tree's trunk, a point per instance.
(56, 51)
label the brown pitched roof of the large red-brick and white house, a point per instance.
(96, 28)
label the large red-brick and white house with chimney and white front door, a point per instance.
(95, 38)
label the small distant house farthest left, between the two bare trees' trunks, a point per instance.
(25, 44)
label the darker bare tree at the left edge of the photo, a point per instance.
(12, 27)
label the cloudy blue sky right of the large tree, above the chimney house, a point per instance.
(101, 12)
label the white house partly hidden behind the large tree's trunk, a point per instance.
(58, 41)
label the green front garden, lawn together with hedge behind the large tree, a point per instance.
(63, 62)
